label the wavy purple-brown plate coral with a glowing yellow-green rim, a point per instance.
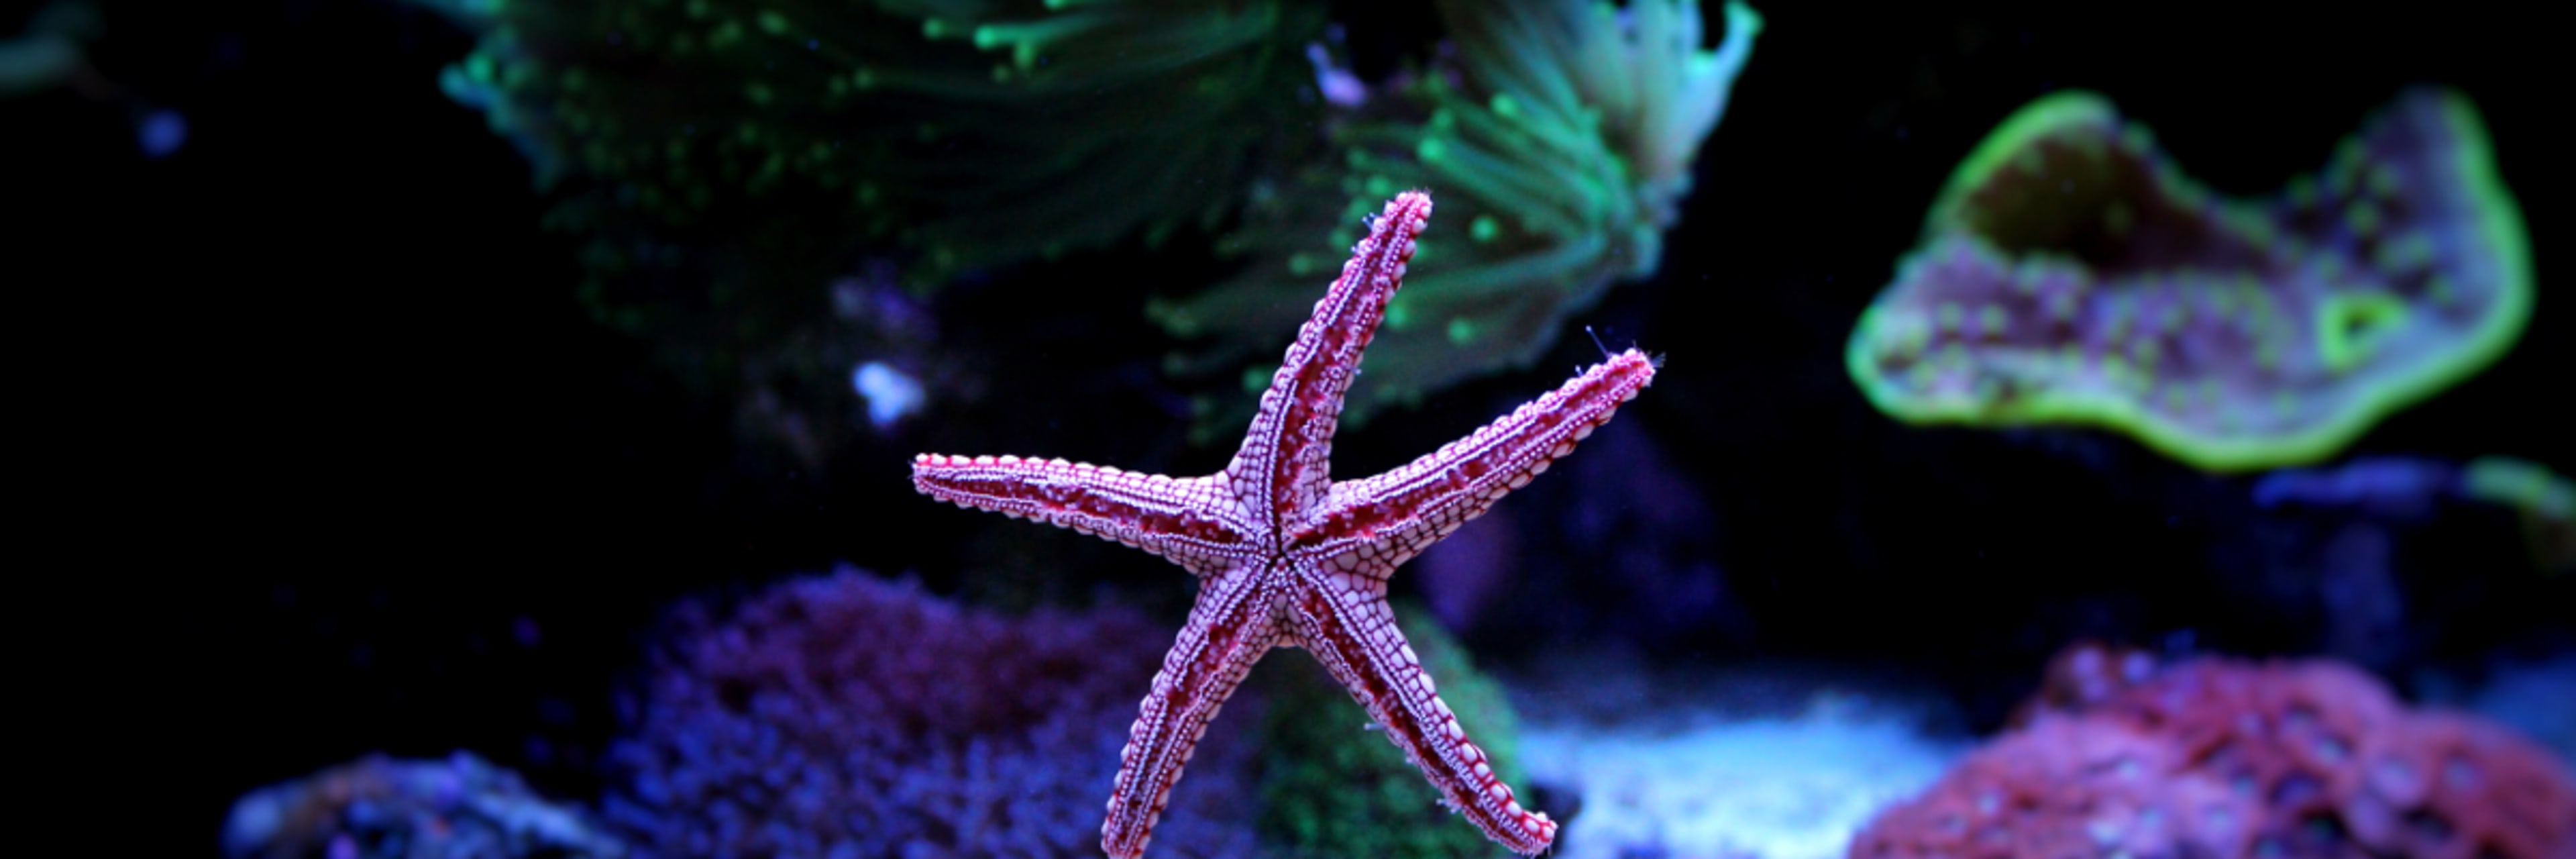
(2072, 275)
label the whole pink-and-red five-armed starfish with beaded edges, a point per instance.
(1292, 558)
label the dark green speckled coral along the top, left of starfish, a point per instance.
(730, 156)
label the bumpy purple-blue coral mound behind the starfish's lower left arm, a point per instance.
(849, 716)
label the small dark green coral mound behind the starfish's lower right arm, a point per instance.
(1333, 788)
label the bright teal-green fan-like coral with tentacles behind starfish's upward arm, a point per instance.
(1560, 135)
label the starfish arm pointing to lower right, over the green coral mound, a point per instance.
(1354, 633)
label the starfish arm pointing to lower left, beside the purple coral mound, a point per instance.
(1230, 631)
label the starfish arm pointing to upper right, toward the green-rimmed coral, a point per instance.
(1374, 525)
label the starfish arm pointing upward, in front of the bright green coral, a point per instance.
(1289, 448)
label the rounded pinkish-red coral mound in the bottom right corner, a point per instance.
(2237, 760)
